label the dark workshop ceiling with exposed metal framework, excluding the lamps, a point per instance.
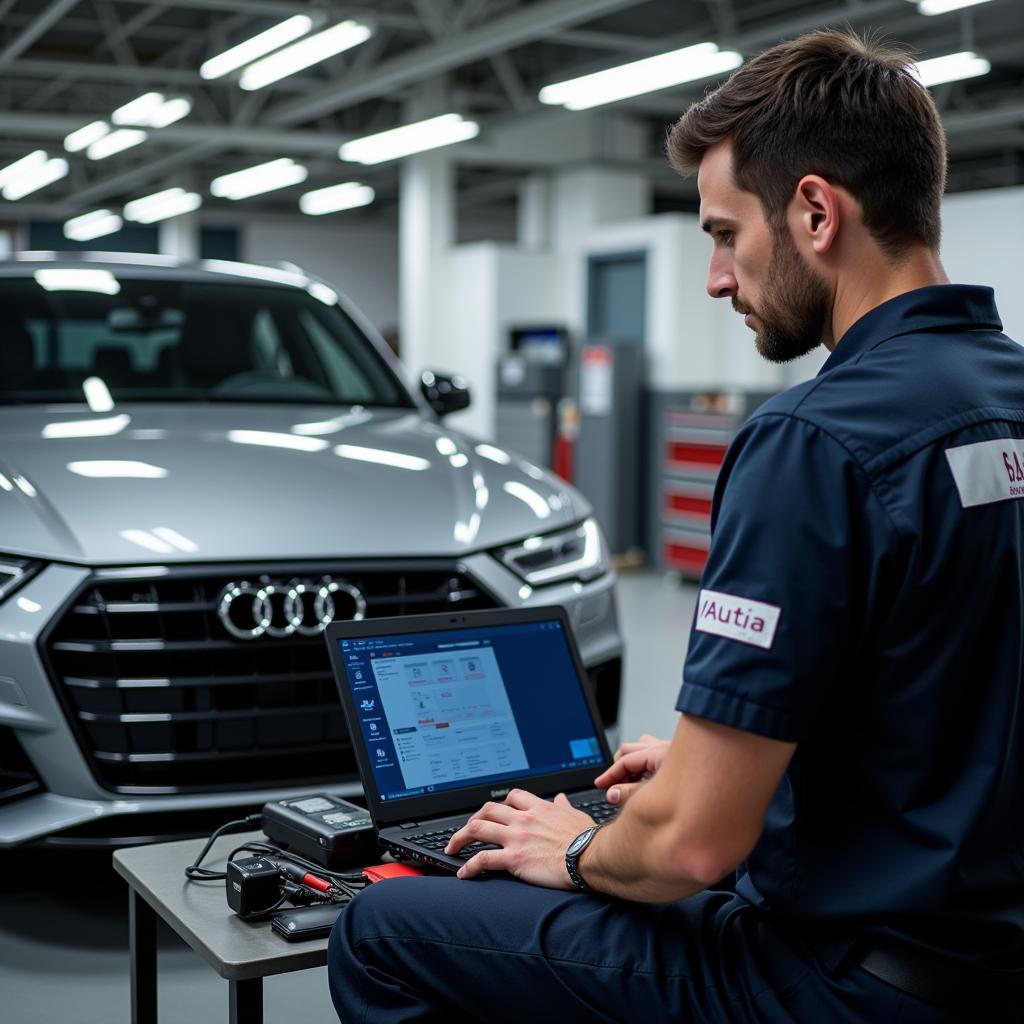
(66, 63)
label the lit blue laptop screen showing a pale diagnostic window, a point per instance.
(449, 709)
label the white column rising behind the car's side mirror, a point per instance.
(426, 233)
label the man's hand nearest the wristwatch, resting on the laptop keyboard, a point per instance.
(533, 834)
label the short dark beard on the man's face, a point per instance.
(795, 306)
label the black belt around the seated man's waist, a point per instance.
(945, 983)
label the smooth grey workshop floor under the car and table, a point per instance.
(64, 927)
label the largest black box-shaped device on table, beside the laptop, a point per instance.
(325, 829)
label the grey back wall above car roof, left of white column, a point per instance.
(361, 262)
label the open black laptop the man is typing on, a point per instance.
(450, 711)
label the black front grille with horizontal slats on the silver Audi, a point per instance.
(164, 699)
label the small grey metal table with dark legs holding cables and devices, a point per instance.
(241, 952)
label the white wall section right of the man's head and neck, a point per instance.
(982, 242)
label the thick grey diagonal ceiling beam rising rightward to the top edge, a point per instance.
(522, 26)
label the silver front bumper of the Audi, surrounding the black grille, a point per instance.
(65, 793)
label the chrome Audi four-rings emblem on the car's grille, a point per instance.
(278, 610)
